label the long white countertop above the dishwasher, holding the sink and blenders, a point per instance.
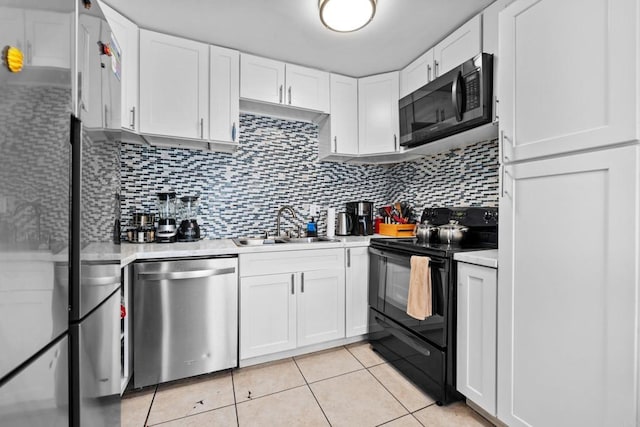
(131, 252)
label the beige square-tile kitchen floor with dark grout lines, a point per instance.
(344, 386)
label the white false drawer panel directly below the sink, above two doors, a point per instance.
(290, 261)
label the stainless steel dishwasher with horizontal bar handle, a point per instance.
(185, 318)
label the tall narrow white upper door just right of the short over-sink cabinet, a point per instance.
(344, 114)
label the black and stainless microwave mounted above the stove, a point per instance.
(454, 102)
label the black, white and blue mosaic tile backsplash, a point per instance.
(277, 164)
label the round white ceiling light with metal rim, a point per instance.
(346, 15)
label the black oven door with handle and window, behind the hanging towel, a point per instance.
(389, 290)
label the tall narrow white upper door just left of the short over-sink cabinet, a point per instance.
(224, 100)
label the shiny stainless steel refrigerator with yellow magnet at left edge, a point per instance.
(59, 186)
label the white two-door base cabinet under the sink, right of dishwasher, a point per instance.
(290, 300)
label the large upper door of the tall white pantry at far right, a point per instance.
(548, 104)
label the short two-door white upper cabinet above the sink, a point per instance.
(275, 82)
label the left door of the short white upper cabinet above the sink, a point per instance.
(261, 79)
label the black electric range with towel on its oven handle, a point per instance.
(424, 350)
